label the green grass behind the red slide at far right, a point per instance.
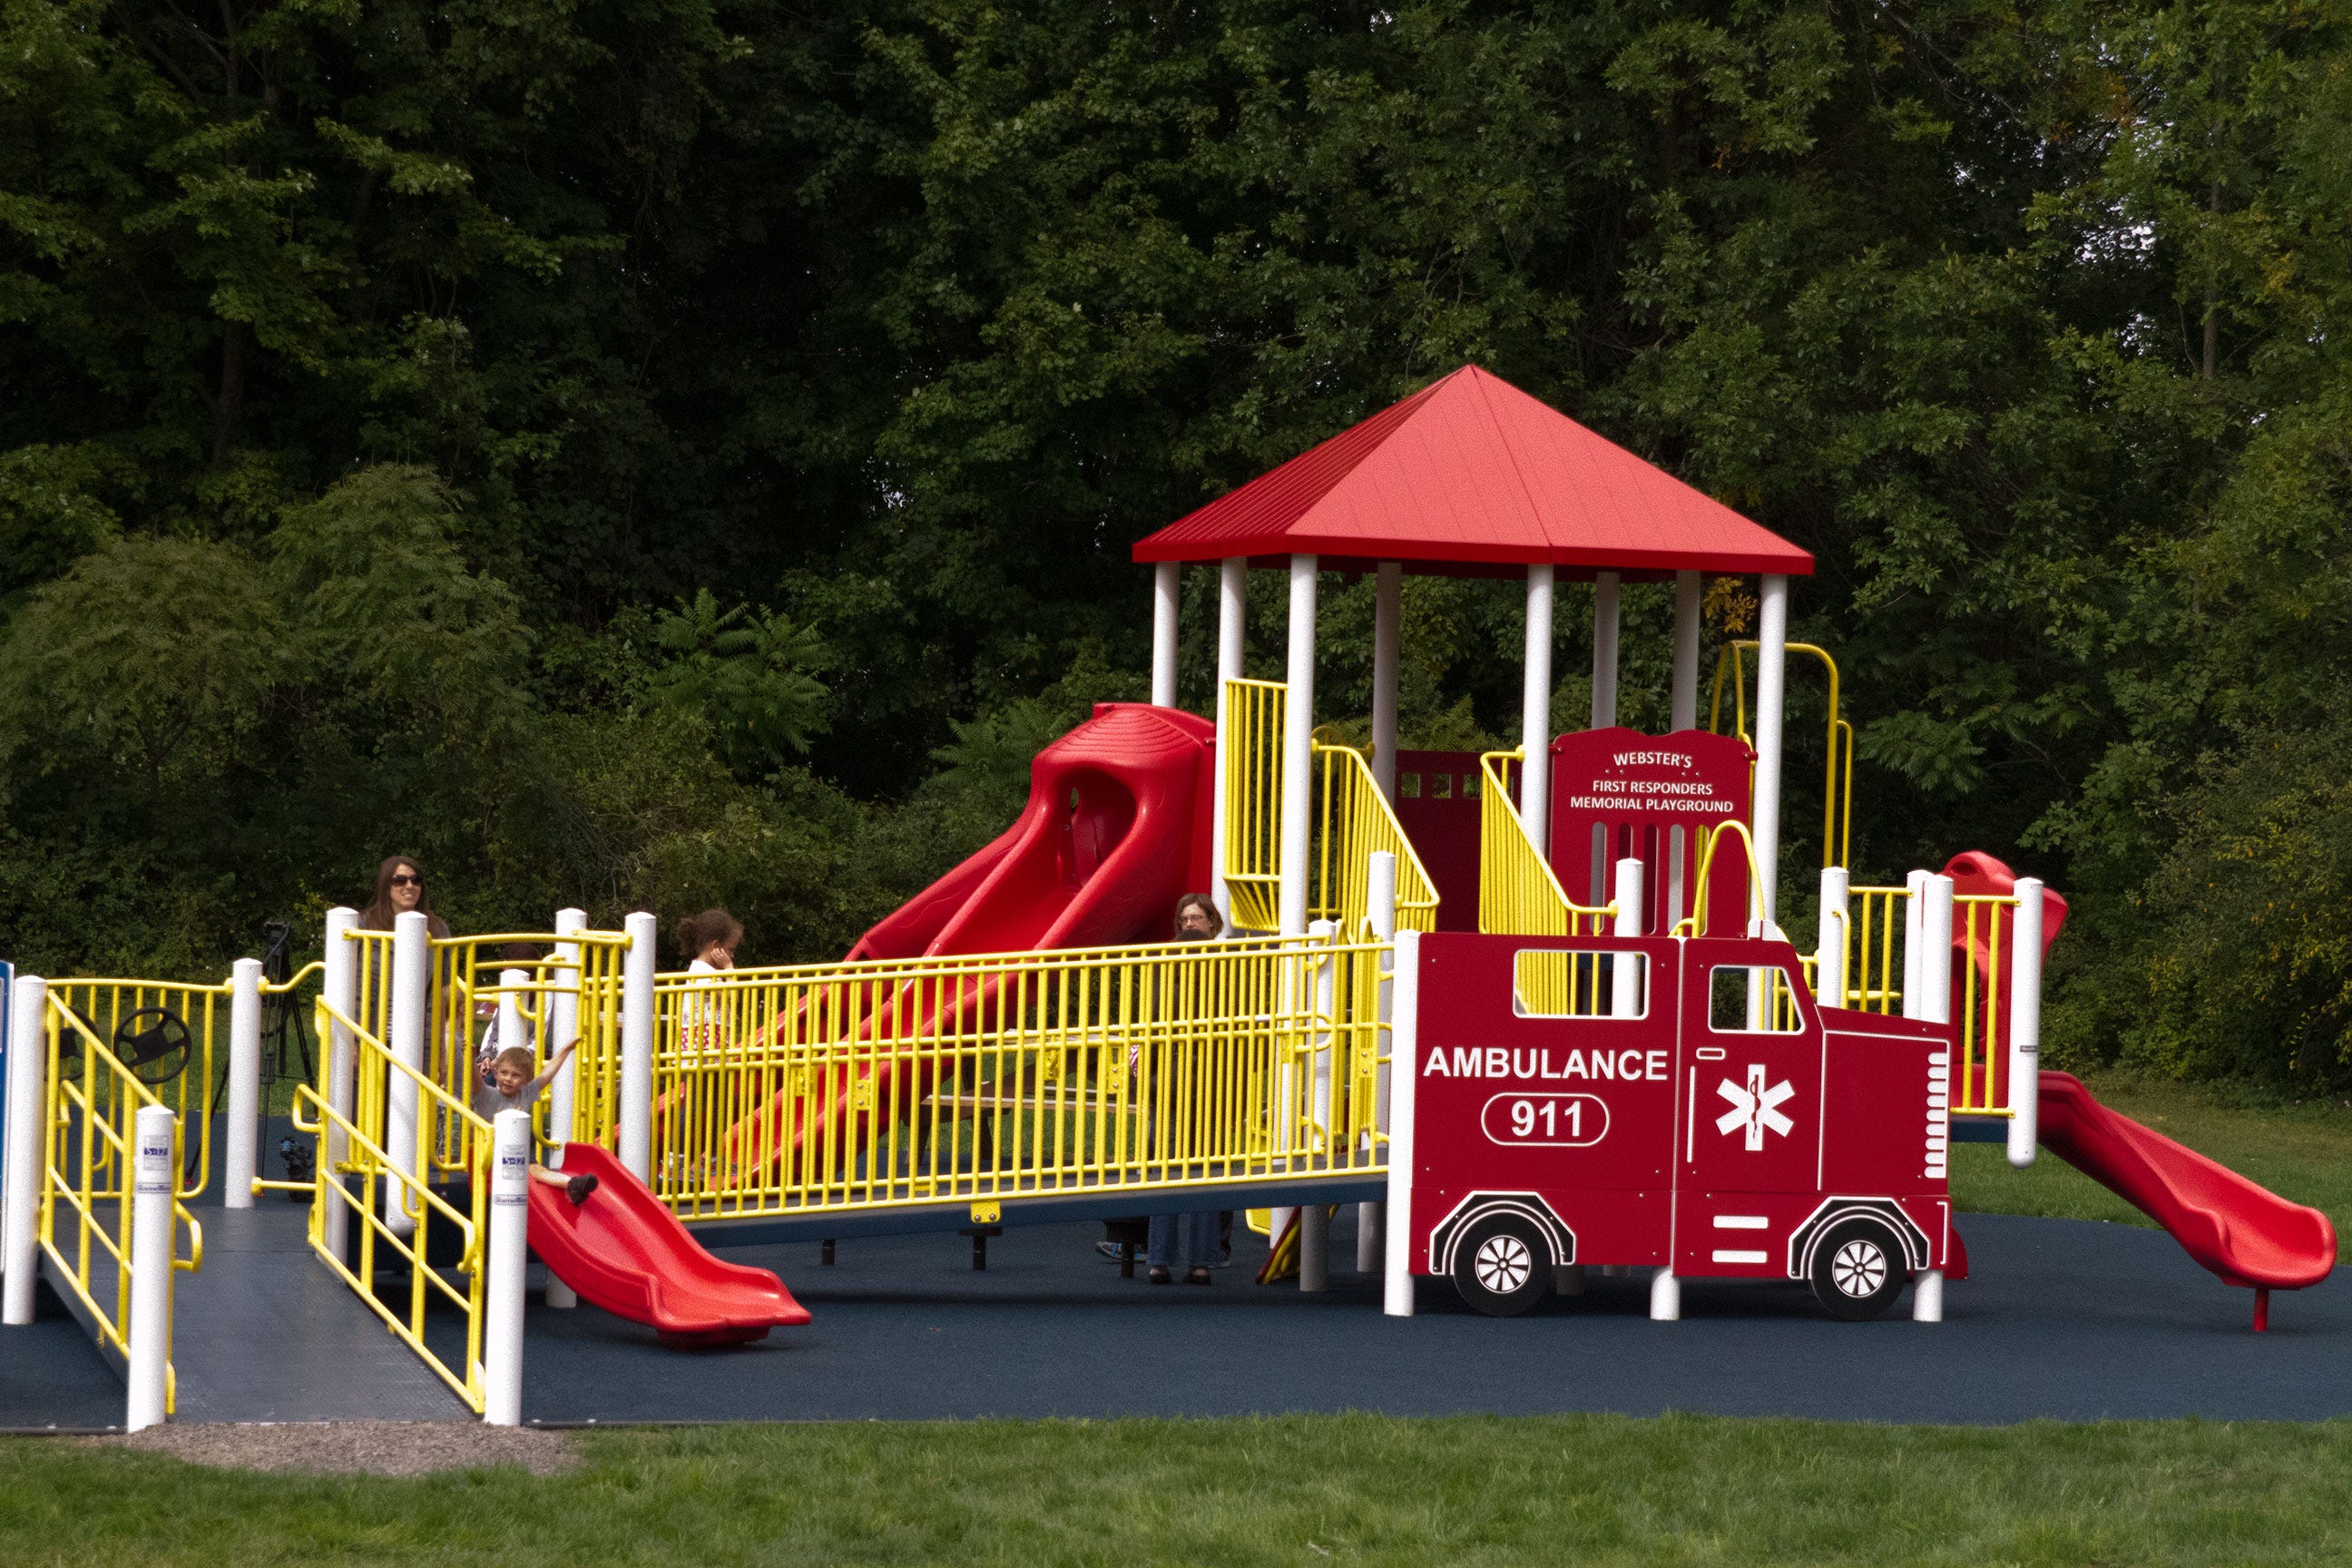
(2297, 1151)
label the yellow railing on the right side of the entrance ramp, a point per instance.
(401, 1186)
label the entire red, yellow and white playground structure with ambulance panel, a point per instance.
(1017, 1045)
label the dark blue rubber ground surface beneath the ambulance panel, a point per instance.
(2062, 1320)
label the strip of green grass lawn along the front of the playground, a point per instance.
(1245, 1492)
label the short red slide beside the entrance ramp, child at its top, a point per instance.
(632, 1257)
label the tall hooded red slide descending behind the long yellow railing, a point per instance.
(1114, 833)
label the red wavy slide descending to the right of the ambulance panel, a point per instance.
(2240, 1231)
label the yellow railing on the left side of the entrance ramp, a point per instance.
(83, 1217)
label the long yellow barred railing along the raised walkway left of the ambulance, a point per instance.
(982, 1080)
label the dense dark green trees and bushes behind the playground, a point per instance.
(671, 450)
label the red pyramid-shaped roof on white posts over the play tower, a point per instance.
(1474, 474)
